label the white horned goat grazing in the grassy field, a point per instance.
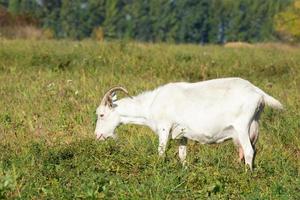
(209, 112)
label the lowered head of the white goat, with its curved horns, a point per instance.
(107, 117)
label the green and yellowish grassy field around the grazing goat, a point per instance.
(49, 91)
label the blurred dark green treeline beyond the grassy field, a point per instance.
(180, 21)
